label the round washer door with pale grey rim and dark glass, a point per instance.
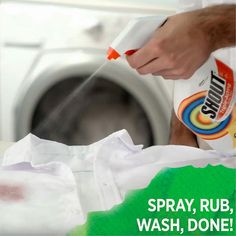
(116, 99)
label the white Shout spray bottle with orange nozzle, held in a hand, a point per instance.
(205, 103)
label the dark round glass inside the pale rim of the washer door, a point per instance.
(94, 112)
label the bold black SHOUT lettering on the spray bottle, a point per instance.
(214, 97)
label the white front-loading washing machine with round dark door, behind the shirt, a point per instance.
(49, 48)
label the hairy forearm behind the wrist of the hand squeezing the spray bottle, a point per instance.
(218, 24)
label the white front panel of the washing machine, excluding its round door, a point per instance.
(29, 28)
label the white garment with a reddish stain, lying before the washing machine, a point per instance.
(47, 187)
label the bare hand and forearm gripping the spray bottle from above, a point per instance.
(185, 42)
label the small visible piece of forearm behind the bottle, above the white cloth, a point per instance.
(181, 135)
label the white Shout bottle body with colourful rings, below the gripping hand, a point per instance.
(206, 104)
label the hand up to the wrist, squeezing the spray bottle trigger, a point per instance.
(176, 50)
